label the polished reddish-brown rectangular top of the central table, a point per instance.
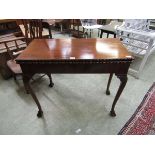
(80, 49)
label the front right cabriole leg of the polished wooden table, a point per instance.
(123, 80)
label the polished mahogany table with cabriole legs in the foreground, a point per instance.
(75, 56)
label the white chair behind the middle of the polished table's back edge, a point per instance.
(90, 25)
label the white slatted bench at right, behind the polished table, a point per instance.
(139, 40)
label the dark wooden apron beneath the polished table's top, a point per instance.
(119, 68)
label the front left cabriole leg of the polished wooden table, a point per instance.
(26, 80)
